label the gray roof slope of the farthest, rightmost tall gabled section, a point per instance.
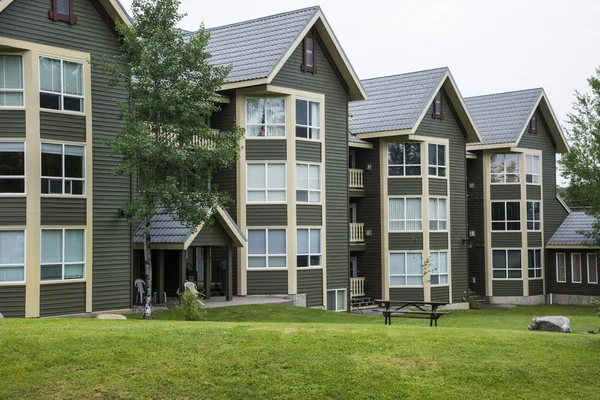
(501, 117)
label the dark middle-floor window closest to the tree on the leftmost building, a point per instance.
(63, 169)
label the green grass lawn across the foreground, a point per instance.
(258, 352)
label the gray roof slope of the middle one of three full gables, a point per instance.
(394, 102)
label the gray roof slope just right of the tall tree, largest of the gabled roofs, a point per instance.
(254, 48)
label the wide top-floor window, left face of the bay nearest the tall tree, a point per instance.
(265, 117)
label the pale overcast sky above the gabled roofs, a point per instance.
(490, 46)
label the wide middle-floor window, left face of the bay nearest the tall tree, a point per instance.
(266, 182)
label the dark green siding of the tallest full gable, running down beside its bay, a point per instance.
(336, 154)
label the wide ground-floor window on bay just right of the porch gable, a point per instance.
(267, 248)
